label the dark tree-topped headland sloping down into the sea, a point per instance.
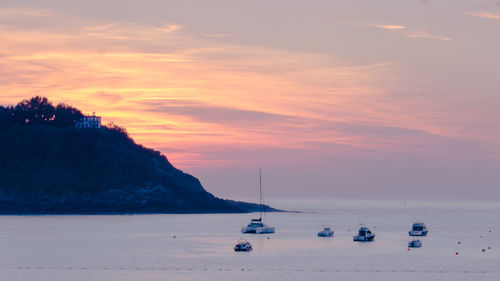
(47, 166)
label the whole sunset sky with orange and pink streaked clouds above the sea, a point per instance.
(346, 98)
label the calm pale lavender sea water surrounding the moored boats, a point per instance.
(142, 247)
